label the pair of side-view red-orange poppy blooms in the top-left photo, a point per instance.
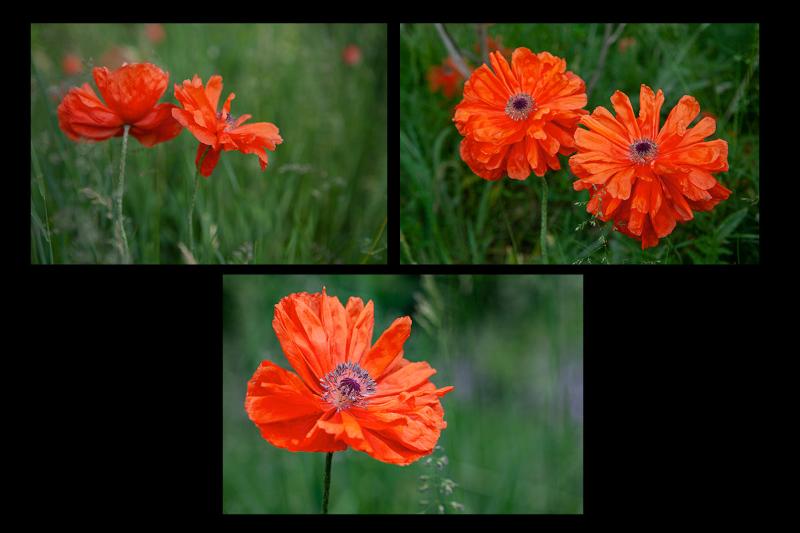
(131, 95)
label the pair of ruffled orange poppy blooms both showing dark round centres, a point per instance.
(645, 178)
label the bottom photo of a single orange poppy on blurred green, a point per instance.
(373, 394)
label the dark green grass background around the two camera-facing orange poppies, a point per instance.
(450, 215)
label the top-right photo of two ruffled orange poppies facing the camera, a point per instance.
(579, 143)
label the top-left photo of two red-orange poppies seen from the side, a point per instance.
(208, 143)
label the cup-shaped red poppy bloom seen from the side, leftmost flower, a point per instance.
(130, 93)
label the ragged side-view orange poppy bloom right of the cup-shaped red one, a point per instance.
(219, 131)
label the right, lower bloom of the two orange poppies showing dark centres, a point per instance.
(644, 178)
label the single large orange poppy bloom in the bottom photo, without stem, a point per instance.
(347, 391)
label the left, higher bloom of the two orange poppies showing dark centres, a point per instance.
(518, 119)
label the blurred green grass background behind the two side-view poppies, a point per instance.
(322, 198)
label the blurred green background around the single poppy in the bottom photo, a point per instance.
(511, 345)
